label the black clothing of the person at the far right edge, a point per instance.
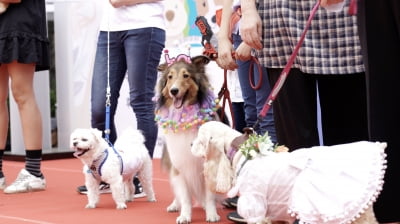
(379, 29)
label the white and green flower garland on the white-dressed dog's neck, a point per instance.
(259, 145)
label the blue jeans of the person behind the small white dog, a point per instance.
(135, 53)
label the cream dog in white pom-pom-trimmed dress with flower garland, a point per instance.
(323, 184)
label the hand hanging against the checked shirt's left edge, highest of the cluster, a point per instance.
(250, 28)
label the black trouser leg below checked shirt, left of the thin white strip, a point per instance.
(295, 110)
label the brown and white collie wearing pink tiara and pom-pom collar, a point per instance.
(186, 101)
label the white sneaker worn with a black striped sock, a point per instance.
(26, 182)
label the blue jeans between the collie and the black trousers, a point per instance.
(254, 100)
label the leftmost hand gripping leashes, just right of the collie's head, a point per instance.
(225, 50)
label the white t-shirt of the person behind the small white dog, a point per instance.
(132, 17)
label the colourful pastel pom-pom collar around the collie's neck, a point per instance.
(187, 117)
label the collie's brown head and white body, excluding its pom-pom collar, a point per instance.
(183, 84)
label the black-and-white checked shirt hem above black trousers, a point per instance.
(331, 46)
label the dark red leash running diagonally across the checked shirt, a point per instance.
(285, 72)
